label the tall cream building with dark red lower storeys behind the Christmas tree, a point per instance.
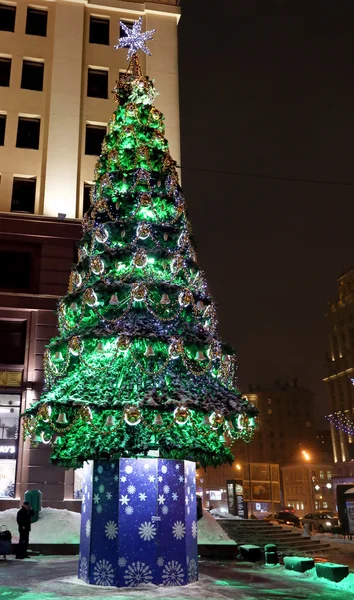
(57, 69)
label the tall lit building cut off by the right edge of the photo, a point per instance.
(340, 371)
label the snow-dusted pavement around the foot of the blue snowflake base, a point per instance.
(54, 578)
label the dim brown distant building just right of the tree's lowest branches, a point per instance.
(286, 424)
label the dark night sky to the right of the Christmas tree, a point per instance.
(267, 88)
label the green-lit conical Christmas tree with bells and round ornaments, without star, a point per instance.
(138, 364)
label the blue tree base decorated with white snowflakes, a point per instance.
(139, 523)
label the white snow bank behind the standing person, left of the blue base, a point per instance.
(53, 526)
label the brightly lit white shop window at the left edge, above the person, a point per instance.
(10, 405)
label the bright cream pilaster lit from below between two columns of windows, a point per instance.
(64, 115)
